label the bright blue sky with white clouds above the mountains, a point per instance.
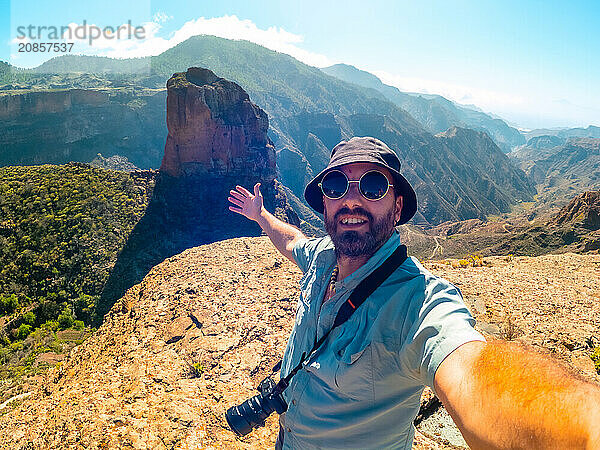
(533, 63)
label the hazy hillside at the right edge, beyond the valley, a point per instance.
(561, 171)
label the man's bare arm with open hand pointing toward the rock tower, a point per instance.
(283, 235)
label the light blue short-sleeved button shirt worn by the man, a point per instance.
(362, 388)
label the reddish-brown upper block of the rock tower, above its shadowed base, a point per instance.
(214, 128)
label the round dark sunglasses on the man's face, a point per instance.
(373, 185)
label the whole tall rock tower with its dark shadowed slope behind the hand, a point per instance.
(217, 140)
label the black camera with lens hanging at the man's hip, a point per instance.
(252, 413)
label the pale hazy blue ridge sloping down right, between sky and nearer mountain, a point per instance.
(434, 112)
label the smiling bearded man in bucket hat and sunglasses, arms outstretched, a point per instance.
(360, 387)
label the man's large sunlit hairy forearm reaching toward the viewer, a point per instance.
(503, 395)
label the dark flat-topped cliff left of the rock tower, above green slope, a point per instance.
(56, 127)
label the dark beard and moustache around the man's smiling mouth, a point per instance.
(353, 244)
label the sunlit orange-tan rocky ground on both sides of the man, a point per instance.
(205, 326)
